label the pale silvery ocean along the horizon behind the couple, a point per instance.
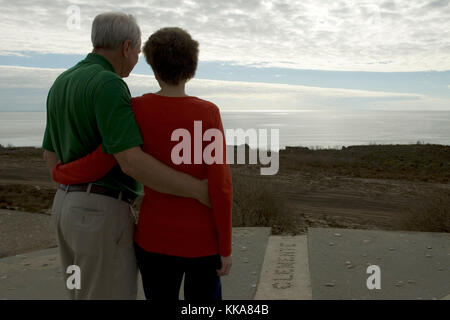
(311, 128)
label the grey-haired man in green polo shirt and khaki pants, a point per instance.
(88, 105)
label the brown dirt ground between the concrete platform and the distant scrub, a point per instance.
(310, 192)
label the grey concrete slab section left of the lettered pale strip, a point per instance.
(38, 275)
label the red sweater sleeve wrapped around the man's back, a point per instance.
(90, 168)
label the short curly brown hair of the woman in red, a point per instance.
(172, 54)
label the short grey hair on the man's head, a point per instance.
(111, 29)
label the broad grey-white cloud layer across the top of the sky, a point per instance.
(392, 35)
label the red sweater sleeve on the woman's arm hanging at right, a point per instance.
(221, 193)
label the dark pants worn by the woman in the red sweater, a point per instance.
(162, 275)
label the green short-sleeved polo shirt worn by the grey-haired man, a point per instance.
(88, 105)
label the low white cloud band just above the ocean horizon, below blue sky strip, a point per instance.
(25, 89)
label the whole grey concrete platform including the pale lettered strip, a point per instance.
(327, 263)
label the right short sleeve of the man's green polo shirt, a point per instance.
(115, 118)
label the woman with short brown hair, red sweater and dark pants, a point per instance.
(175, 236)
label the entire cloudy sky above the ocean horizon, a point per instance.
(254, 55)
